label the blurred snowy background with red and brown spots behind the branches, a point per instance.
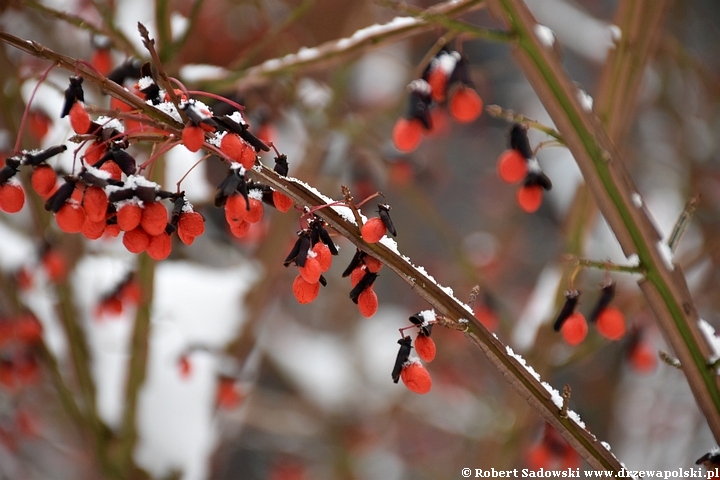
(243, 382)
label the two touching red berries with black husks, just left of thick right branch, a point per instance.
(518, 164)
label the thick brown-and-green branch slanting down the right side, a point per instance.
(604, 172)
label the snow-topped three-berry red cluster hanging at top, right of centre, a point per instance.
(446, 76)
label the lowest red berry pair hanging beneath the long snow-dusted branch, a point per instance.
(413, 374)
